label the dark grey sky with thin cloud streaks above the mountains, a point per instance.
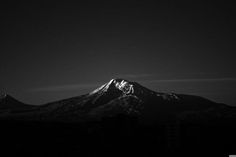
(56, 50)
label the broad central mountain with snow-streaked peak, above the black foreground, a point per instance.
(123, 97)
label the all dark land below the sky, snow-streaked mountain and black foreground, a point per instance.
(120, 118)
